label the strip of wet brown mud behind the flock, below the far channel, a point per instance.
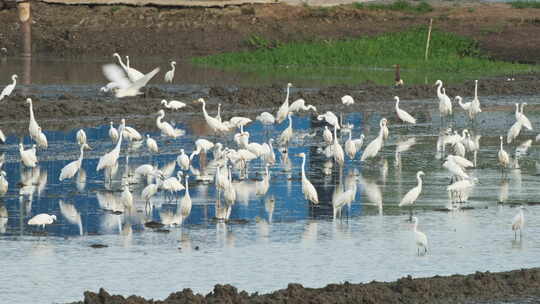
(67, 111)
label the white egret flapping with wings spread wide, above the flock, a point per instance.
(126, 88)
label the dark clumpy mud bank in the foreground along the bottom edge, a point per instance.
(473, 288)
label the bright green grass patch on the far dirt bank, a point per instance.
(450, 54)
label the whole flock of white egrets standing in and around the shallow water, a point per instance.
(127, 81)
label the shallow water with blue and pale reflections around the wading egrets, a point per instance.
(285, 240)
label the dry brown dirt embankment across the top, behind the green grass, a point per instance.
(503, 32)
